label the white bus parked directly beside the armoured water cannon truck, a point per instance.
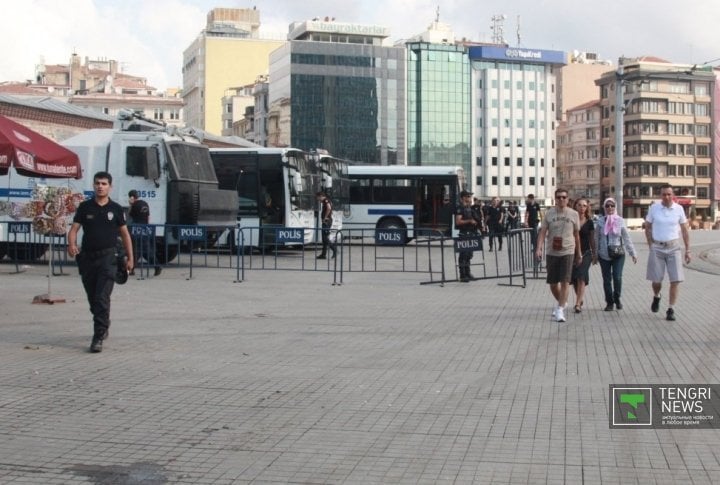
(276, 188)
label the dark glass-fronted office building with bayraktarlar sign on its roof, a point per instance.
(345, 90)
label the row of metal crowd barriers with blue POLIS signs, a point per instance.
(279, 248)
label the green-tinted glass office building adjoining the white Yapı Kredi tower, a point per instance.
(438, 104)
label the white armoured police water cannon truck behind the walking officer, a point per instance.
(169, 167)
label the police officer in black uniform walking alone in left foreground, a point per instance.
(102, 221)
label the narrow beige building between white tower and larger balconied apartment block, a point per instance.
(578, 167)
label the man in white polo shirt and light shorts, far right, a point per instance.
(664, 224)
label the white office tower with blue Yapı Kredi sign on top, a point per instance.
(514, 116)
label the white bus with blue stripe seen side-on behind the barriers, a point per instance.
(420, 199)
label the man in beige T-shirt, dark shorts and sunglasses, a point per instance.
(561, 228)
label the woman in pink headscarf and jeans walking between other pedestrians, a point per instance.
(610, 232)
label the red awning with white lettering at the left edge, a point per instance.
(34, 155)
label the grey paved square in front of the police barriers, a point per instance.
(286, 378)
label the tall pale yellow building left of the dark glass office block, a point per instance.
(227, 54)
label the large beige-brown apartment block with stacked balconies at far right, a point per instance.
(667, 135)
